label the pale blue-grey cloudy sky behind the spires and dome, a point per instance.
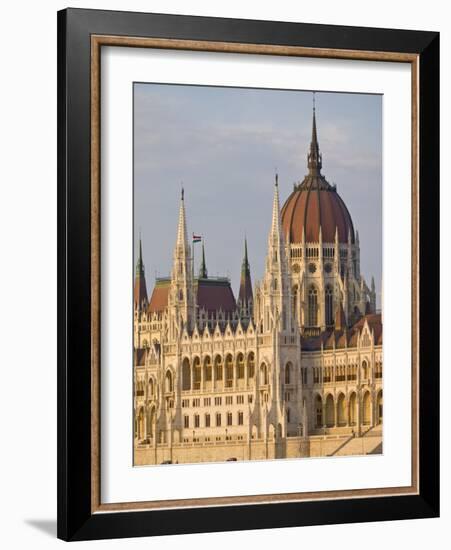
(225, 144)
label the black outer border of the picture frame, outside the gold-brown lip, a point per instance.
(75, 518)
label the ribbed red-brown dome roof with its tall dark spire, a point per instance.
(315, 203)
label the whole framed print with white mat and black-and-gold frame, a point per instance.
(248, 274)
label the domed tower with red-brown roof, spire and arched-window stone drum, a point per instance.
(324, 251)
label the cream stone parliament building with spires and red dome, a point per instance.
(290, 368)
